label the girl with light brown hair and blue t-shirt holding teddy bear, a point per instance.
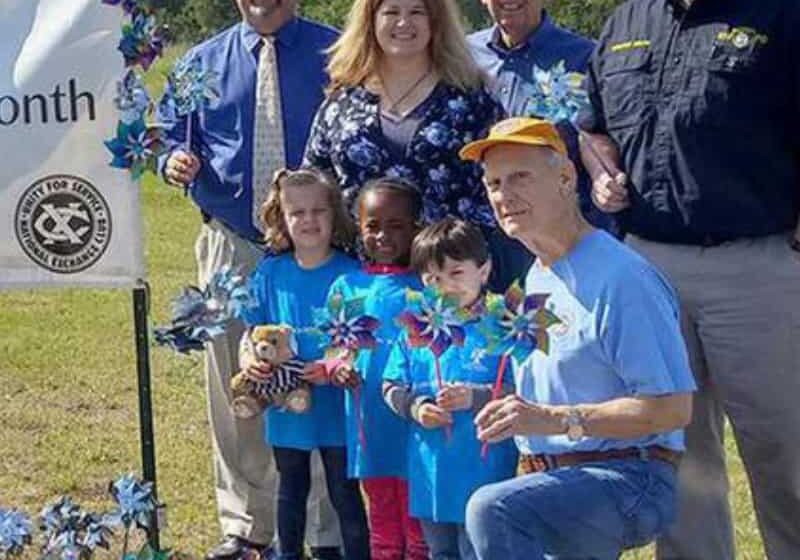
(306, 227)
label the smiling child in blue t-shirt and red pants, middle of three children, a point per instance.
(388, 211)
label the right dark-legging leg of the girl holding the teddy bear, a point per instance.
(345, 495)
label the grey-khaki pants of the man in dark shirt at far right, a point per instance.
(741, 319)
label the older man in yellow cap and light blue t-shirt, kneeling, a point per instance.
(601, 404)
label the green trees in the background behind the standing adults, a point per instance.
(192, 20)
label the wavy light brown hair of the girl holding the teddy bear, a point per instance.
(276, 235)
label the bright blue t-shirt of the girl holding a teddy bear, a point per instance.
(288, 294)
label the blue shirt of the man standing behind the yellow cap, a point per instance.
(510, 81)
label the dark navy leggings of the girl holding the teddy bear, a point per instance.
(294, 466)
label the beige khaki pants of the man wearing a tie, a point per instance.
(244, 469)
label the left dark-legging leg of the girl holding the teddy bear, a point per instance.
(294, 468)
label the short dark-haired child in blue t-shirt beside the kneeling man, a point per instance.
(445, 463)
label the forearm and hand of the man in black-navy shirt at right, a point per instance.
(609, 184)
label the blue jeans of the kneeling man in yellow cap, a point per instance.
(594, 510)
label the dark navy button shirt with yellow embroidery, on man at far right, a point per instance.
(704, 104)
